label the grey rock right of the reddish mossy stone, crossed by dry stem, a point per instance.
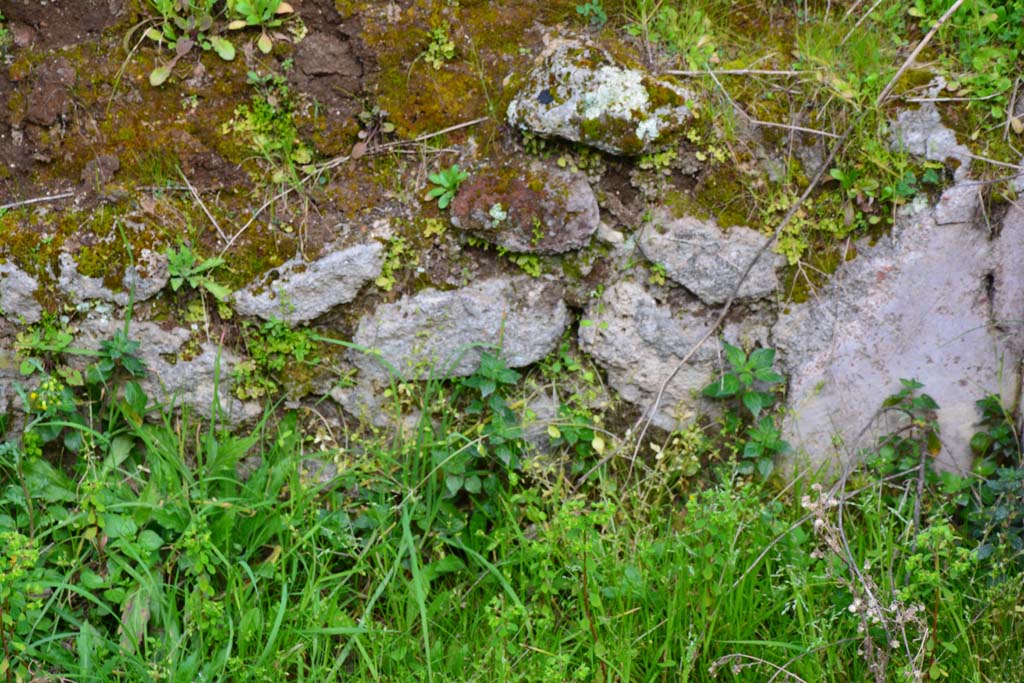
(708, 261)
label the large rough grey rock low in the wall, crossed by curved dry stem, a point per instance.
(641, 341)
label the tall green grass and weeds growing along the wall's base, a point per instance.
(174, 550)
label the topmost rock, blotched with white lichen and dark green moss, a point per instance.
(581, 94)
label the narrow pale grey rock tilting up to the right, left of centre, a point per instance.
(301, 291)
